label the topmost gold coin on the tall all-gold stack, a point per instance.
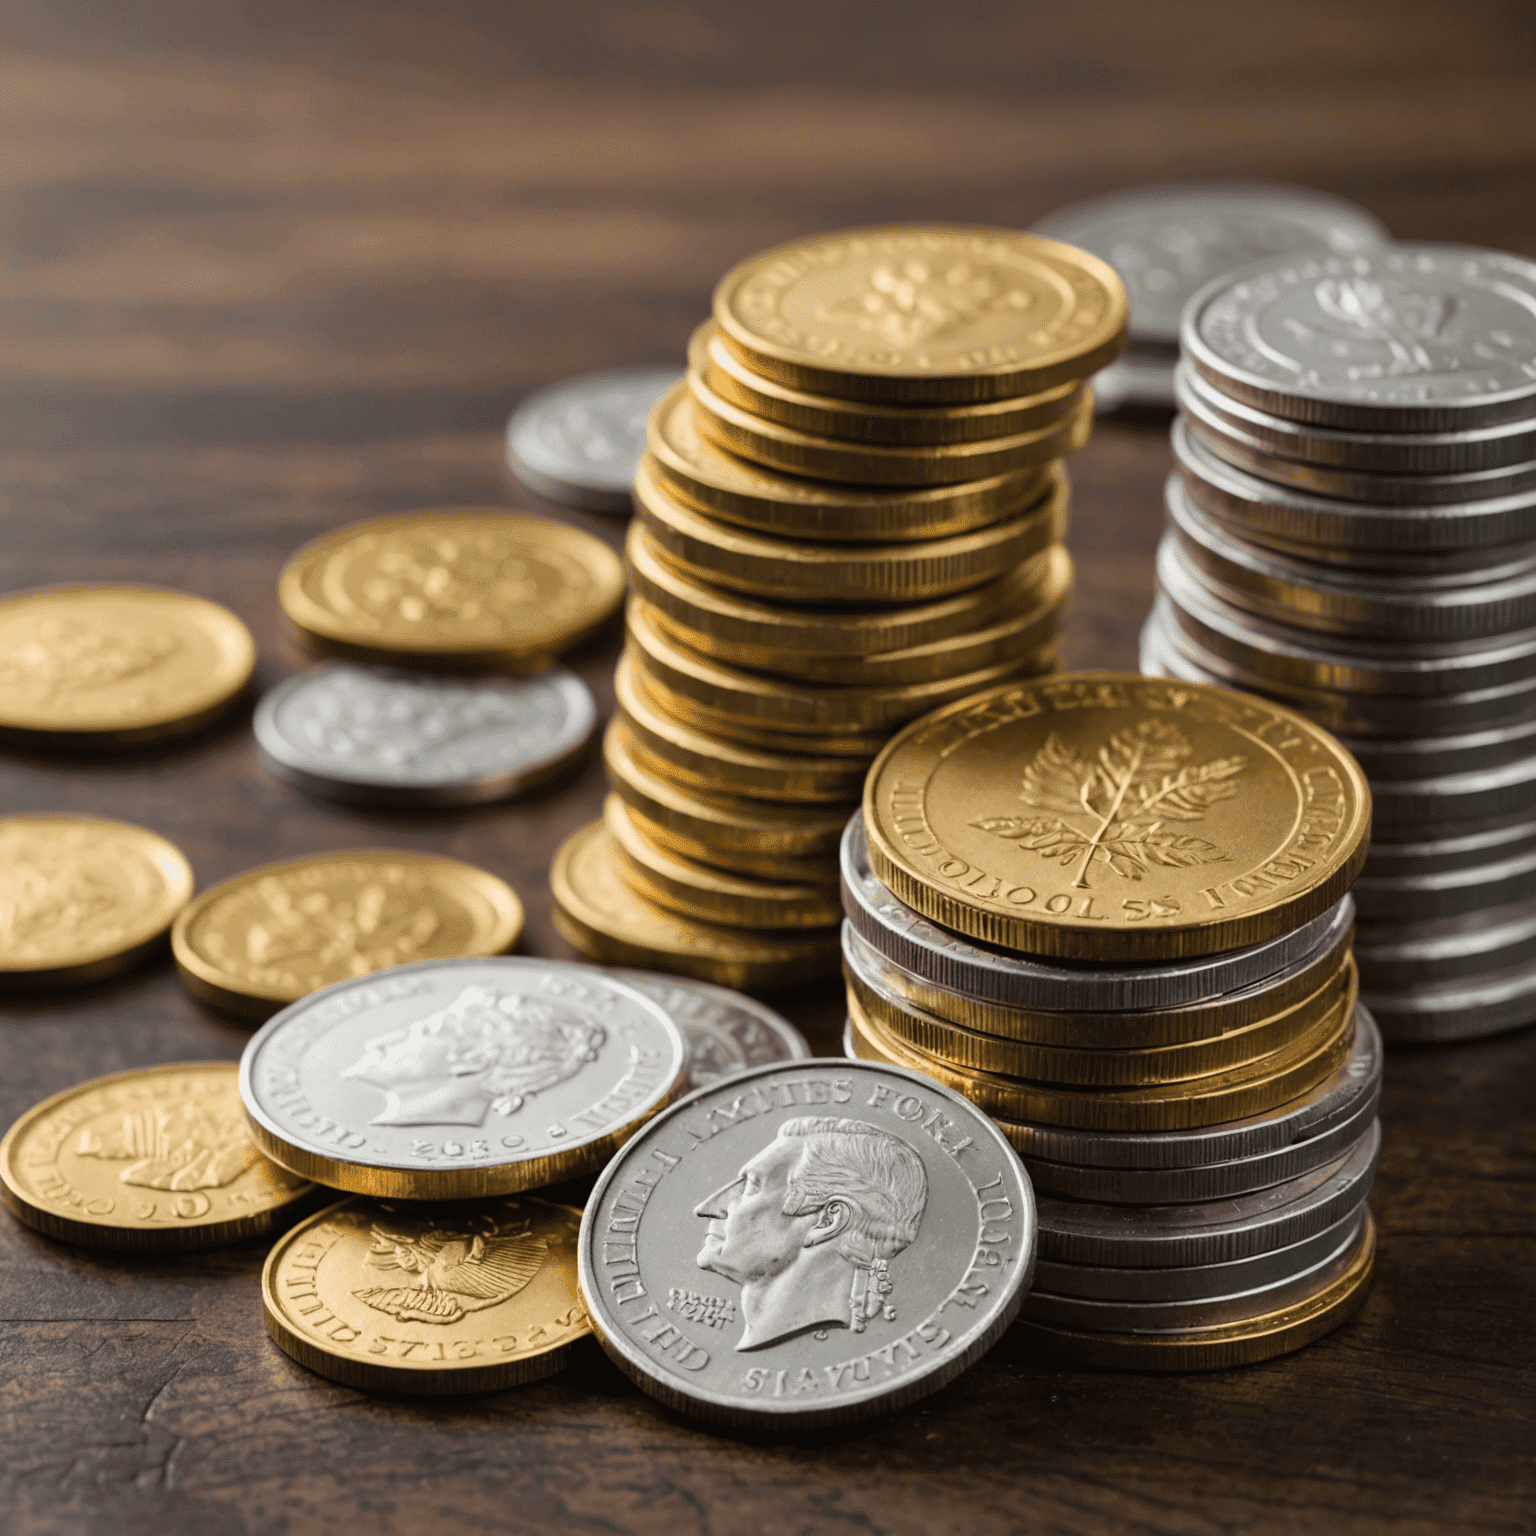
(924, 314)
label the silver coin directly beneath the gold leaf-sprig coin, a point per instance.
(1008, 979)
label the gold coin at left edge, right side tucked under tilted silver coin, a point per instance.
(156, 1160)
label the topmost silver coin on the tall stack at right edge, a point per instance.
(1402, 339)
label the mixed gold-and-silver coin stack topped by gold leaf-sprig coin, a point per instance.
(1114, 913)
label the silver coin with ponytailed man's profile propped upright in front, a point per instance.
(806, 1245)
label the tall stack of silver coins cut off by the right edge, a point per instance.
(1352, 531)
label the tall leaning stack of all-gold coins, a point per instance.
(850, 514)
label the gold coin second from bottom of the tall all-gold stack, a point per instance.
(712, 896)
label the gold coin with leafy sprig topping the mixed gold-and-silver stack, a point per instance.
(1113, 818)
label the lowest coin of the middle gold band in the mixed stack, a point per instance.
(1208, 1101)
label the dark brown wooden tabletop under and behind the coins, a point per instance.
(274, 268)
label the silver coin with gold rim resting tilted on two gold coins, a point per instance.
(455, 1079)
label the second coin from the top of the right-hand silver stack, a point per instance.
(1508, 443)
